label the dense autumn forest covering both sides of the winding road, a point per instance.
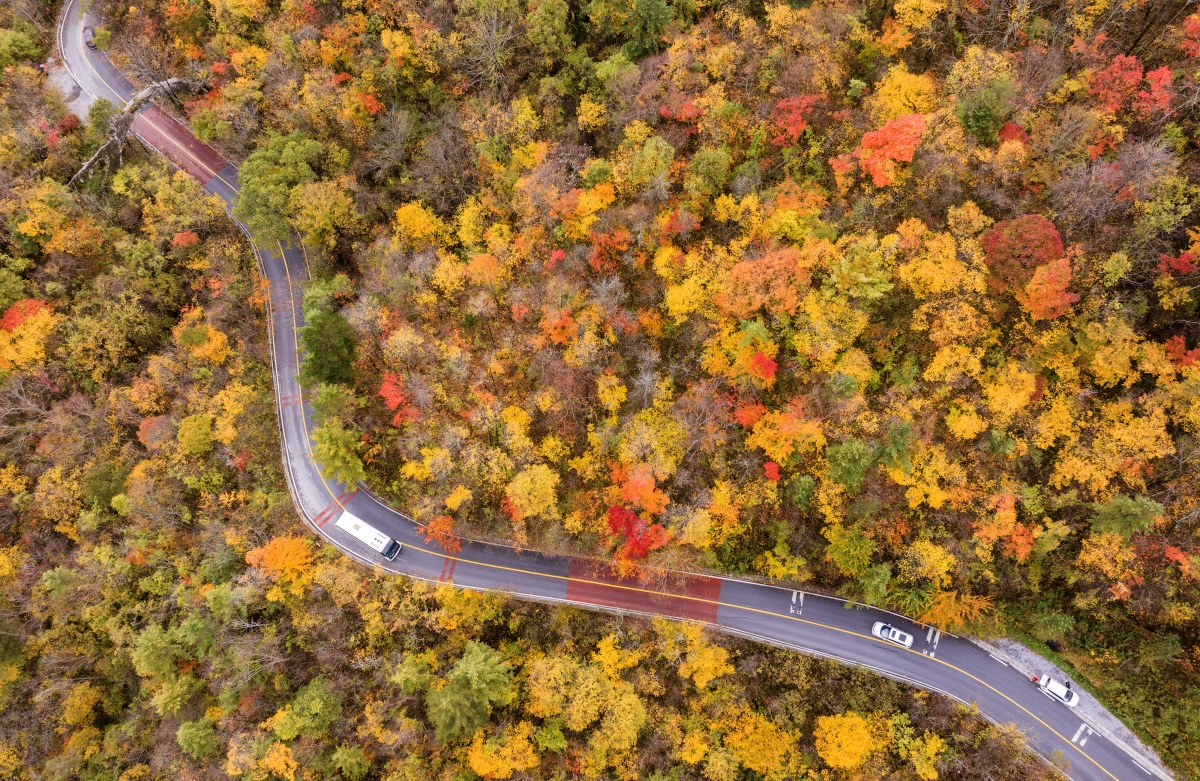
(893, 299)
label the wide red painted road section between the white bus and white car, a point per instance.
(663, 598)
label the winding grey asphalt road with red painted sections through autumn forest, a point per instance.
(808, 623)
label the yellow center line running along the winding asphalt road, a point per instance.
(304, 419)
